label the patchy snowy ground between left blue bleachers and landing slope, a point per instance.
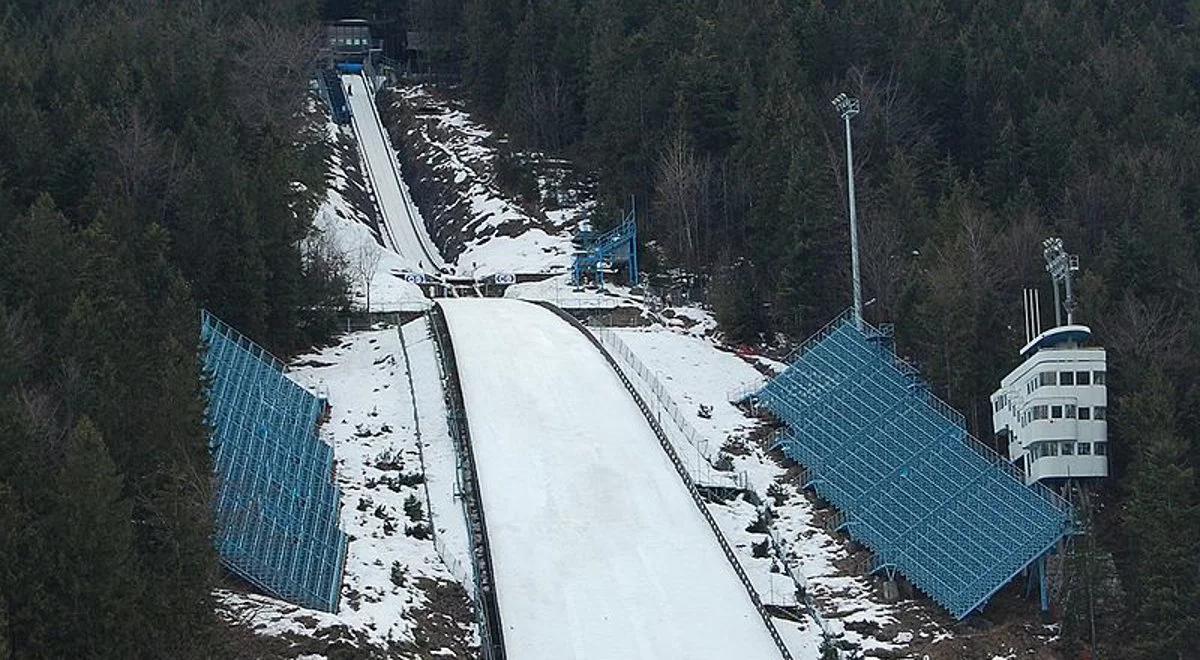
(399, 598)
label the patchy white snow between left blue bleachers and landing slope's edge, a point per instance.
(373, 433)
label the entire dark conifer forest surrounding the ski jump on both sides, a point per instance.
(142, 181)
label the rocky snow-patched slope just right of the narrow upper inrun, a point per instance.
(452, 164)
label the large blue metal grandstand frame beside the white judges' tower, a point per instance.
(932, 502)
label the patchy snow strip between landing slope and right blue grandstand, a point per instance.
(698, 373)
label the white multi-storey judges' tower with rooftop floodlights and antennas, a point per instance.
(1052, 411)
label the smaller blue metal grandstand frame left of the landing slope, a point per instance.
(277, 506)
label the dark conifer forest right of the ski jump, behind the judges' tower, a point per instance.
(986, 128)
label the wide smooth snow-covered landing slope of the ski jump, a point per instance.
(598, 549)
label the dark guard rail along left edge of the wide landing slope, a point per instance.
(488, 609)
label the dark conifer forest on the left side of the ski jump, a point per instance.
(148, 171)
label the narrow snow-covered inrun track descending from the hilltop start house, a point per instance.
(404, 231)
